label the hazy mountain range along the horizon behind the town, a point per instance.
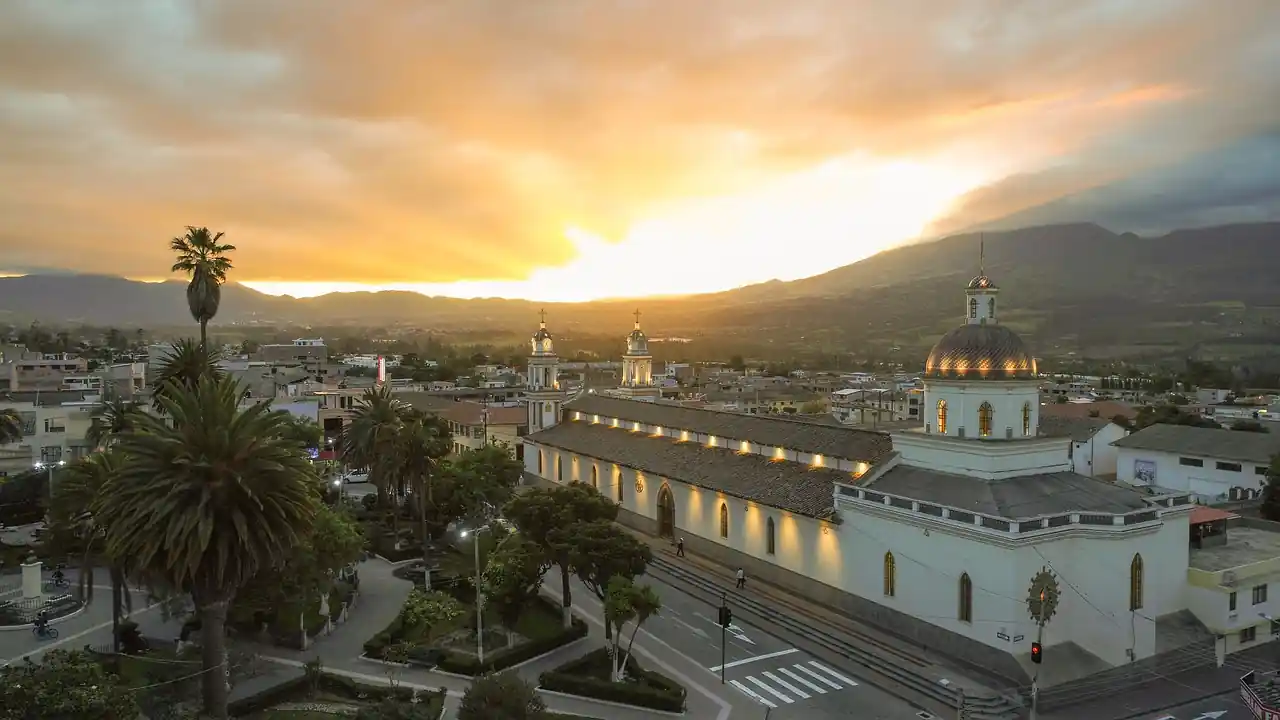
(1068, 289)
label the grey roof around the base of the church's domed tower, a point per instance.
(1025, 496)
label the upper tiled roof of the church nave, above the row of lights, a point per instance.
(764, 430)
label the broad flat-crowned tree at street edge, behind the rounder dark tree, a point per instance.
(543, 514)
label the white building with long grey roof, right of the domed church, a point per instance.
(1208, 463)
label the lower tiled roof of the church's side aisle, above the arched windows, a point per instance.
(778, 484)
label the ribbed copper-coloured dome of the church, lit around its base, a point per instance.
(981, 353)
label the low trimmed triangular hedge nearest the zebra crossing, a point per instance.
(582, 678)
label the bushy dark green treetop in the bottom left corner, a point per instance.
(65, 686)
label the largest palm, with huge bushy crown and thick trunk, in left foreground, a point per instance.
(207, 503)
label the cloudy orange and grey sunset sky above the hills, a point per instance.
(583, 149)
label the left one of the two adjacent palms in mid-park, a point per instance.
(369, 441)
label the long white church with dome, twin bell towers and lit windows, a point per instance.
(934, 534)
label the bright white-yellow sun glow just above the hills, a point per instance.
(803, 225)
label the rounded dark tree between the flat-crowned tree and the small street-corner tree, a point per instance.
(602, 552)
